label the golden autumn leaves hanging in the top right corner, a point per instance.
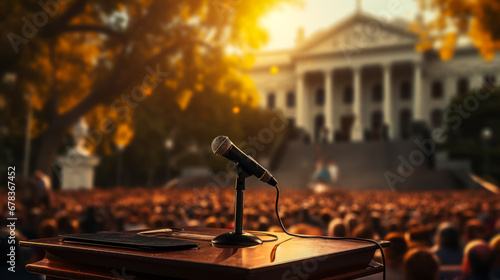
(454, 19)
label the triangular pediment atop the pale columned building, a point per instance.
(358, 32)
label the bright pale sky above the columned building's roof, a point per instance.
(283, 23)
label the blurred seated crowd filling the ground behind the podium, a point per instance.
(447, 234)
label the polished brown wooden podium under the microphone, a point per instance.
(286, 258)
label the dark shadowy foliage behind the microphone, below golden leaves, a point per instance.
(192, 130)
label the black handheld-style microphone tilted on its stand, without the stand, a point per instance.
(222, 146)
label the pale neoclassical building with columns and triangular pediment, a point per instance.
(362, 79)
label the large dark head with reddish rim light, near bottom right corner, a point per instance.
(478, 258)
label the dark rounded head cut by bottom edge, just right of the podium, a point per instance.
(420, 264)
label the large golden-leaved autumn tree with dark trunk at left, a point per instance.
(102, 58)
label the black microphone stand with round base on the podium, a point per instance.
(238, 237)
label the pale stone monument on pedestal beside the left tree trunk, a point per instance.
(77, 165)
